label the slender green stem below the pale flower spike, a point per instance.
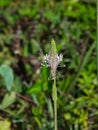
(54, 92)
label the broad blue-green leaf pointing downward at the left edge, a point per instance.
(7, 74)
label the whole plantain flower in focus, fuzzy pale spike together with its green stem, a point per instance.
(52, 60)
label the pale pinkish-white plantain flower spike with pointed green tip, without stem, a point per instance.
(53, 59)
